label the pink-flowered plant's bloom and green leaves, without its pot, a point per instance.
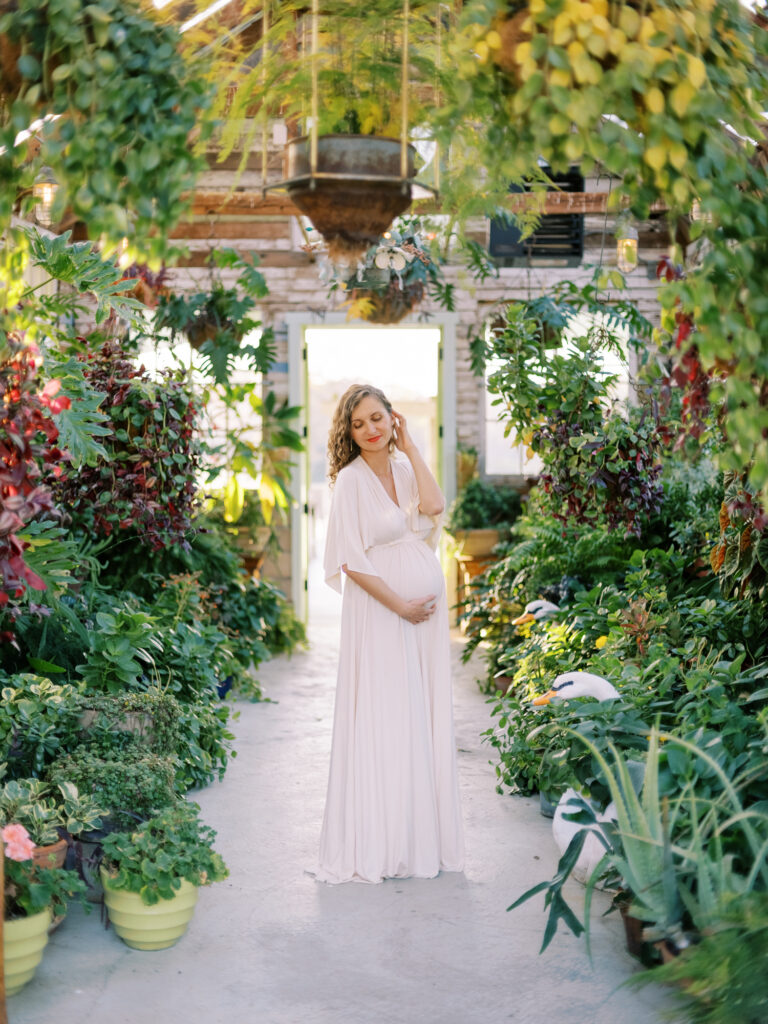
(29, 888)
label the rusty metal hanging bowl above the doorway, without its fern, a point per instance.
(357, 191)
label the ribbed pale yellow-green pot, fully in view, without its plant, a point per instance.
(156, 927)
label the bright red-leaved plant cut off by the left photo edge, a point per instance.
(28, 445)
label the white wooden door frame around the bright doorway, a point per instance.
(297, 324)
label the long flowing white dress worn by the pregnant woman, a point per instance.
(393, 808)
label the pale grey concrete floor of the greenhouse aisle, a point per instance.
(271, 946)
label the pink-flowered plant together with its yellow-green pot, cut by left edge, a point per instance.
(31, 895)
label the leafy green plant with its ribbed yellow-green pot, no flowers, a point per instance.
(152, 876)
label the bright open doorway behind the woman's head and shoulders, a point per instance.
(404, 362)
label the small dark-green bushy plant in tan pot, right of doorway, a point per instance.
(478, 516)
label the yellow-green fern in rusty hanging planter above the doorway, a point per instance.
(351, 94)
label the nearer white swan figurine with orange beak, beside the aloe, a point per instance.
(580, 685)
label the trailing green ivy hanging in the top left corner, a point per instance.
(119, 103)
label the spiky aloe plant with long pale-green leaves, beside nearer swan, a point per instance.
(667, 878)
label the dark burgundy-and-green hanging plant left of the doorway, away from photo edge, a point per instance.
(147, 487)
